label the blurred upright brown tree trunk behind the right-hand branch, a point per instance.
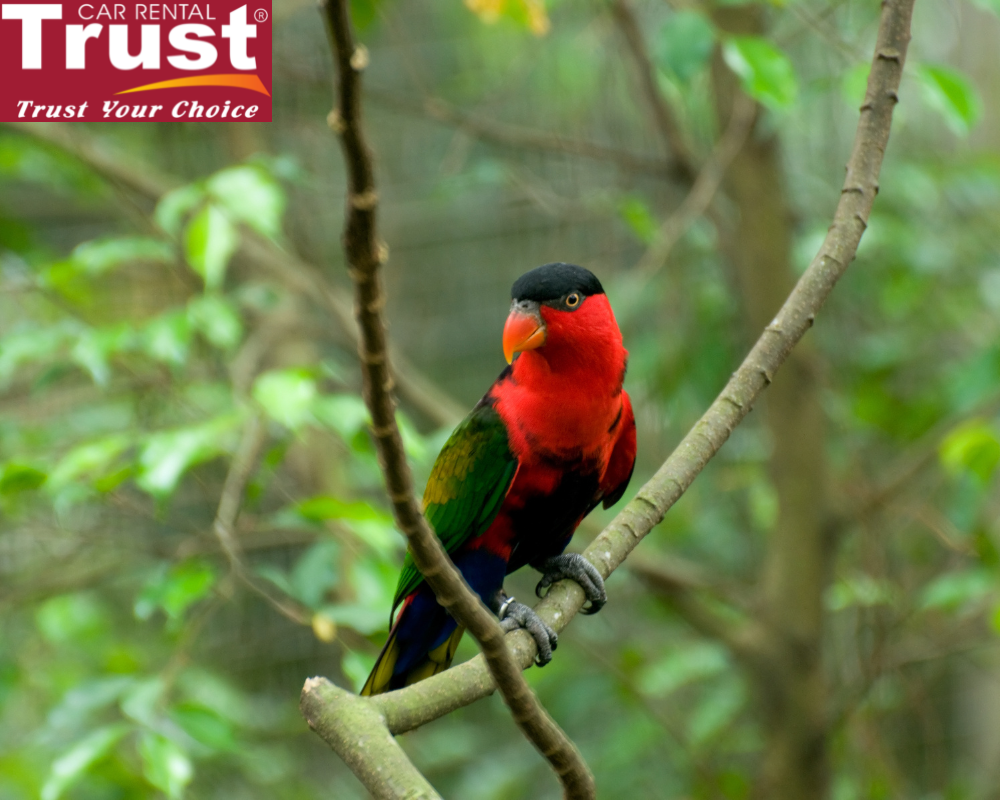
(791, 687)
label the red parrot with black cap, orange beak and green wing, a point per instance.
(553, 437)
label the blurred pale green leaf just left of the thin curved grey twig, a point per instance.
(168, 454)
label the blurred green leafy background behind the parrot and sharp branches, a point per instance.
(142, 331)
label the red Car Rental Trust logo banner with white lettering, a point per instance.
(206, 60)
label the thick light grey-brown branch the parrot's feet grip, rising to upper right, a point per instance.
(430, 699)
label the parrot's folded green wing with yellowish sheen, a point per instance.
(467, 486)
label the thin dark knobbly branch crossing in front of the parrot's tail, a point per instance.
(365, 255)
